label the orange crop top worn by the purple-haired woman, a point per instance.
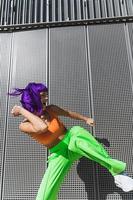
(55, 129)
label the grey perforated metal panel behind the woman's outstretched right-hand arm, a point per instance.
(68, 77)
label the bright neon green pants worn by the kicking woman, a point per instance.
(77, 142)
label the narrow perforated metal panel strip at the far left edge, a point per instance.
(5, 59)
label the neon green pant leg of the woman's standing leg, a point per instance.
(58, 167)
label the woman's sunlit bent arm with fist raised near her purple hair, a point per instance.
(35, 124)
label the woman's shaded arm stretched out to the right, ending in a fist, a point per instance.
(67, 113)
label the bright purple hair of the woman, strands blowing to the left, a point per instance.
(30, 96)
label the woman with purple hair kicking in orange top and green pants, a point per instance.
(65, 145)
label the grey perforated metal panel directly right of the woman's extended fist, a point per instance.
(112, 100)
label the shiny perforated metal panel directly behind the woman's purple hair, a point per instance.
(25, 160)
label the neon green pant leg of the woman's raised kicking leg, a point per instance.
(83, 143)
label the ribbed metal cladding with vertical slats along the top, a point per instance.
(34, 11)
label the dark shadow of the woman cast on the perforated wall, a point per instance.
(107, 188)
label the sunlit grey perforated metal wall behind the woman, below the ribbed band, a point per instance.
(88, 69)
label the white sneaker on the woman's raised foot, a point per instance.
(124, 182)
